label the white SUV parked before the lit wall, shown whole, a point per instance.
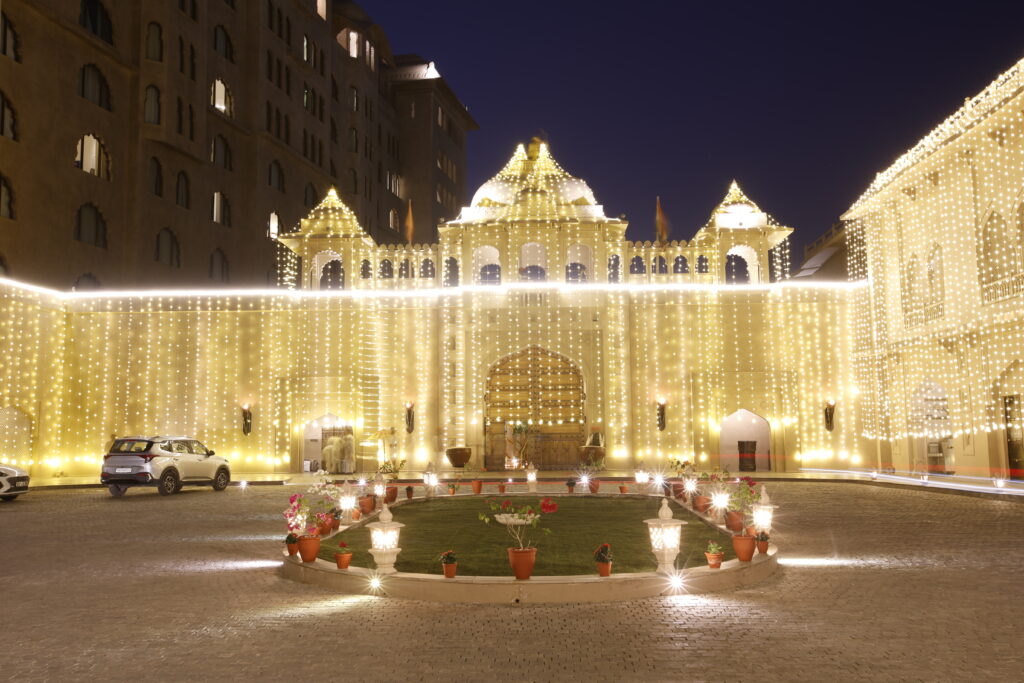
(165, 462)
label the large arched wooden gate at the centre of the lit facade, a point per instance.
(544, 392)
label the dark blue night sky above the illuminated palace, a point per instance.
(802, 103)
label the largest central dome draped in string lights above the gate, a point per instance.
(533, 186)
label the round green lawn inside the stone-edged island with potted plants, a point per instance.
(580, 526)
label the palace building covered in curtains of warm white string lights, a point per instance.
(532, 308)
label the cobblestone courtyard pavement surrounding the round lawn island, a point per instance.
(879, 584)
